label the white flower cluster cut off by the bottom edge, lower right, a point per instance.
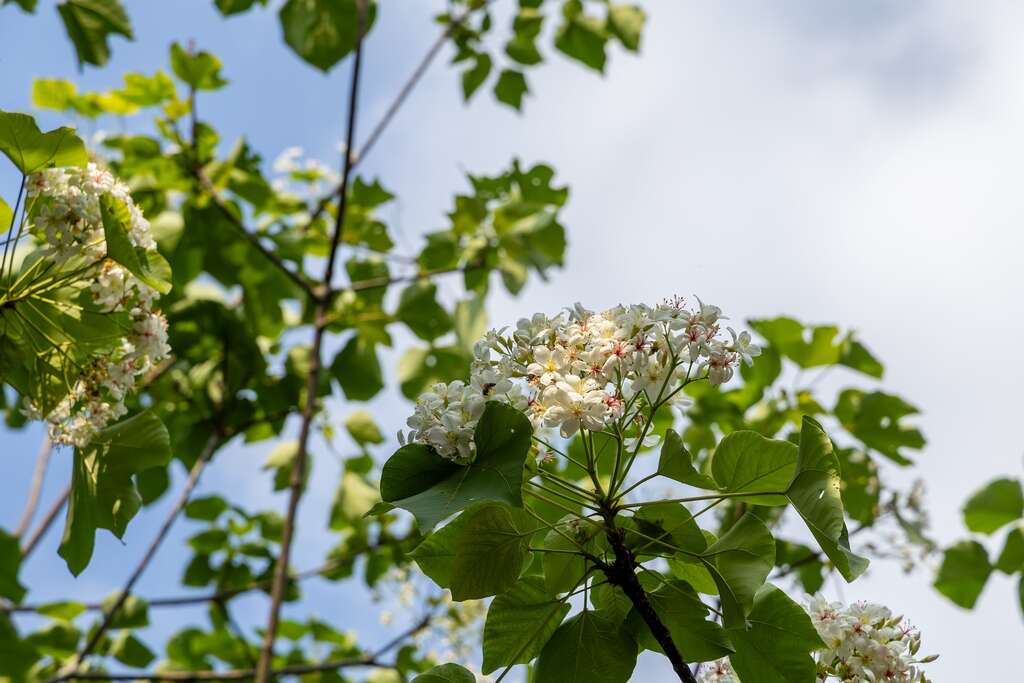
(865, 643)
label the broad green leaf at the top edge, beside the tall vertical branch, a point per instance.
(323, 32)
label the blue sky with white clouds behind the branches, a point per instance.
(850, 163)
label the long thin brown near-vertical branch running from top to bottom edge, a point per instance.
(321, 323)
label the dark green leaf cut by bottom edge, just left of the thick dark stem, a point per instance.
(588, 649)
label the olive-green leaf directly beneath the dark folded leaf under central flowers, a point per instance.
(491, 553)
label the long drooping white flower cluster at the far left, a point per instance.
(69, 223)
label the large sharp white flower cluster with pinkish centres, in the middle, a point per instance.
(581, 370)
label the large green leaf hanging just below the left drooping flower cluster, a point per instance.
(104, 494)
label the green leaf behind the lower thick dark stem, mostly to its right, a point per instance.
(686, 616)
